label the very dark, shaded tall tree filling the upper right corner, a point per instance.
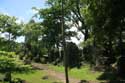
(108, 22)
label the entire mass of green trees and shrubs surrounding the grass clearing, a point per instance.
(49, 40)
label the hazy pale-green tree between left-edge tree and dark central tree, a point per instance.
(33, 35)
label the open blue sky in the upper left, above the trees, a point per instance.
(22, 9)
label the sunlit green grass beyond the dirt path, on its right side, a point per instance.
(84, 73)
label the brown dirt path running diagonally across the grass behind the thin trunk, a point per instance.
(58, 75)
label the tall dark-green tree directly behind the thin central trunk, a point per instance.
(51, 21)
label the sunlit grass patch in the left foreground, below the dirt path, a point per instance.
(34, 77)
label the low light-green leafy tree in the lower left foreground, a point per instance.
(10, 63)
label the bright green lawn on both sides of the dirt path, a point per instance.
(84, 73)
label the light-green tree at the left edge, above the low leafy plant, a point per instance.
(9, 27)
